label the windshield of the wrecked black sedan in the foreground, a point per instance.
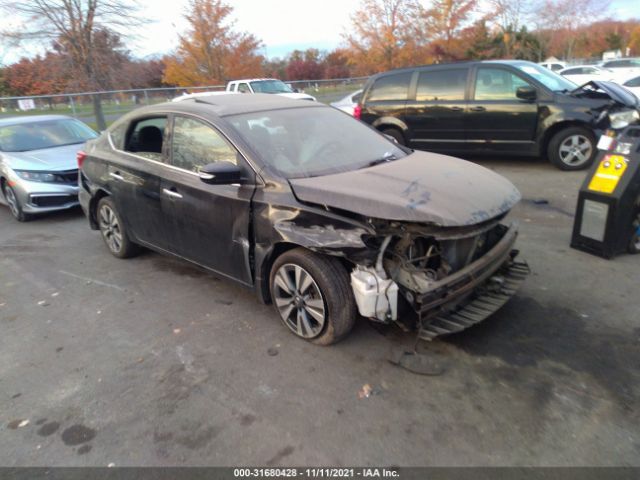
(309, 142)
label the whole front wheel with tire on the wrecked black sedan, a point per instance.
(313, 296)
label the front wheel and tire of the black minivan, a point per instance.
(573, 148)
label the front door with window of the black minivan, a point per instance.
(497, 120)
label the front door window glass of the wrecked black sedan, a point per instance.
(195, 144)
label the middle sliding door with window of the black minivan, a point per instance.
(435, 112)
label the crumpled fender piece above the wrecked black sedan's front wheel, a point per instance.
(321, 237)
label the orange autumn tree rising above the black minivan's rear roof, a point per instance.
(383, 36)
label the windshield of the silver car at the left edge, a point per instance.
(37, 135)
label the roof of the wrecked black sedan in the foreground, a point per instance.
(223, 105)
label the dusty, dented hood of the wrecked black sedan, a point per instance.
(422, 187)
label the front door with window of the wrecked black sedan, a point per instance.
(210, 223)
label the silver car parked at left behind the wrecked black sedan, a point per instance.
(38, 169)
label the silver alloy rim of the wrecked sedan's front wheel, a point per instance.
(299, 301)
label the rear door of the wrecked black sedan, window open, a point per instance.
(134, 173)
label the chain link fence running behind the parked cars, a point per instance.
(115, 103)
